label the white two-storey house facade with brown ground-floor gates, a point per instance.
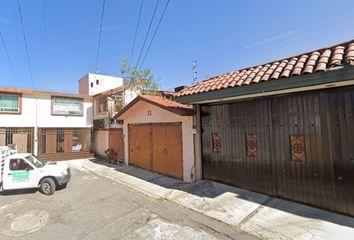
(49, 124)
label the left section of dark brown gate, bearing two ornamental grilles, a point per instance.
(236, 144)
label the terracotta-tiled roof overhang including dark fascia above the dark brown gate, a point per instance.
(277, 75)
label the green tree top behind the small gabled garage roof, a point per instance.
(142, 80)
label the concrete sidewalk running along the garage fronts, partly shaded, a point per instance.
(257, 214)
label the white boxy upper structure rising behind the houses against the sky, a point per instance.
(105, 83)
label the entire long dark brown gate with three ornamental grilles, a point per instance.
(298, 147)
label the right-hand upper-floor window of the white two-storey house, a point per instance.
(67, 106)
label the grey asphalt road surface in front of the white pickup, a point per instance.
(92, 207)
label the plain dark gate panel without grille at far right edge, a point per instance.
(340, 111)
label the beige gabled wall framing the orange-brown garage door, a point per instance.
(138, 114)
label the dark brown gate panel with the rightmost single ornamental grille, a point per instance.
(301, 166)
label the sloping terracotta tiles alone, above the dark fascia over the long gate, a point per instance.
(315, 61)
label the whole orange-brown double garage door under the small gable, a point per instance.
(157, 147)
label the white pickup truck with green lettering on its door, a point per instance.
(23, 170)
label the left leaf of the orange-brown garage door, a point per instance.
(140, 152)
